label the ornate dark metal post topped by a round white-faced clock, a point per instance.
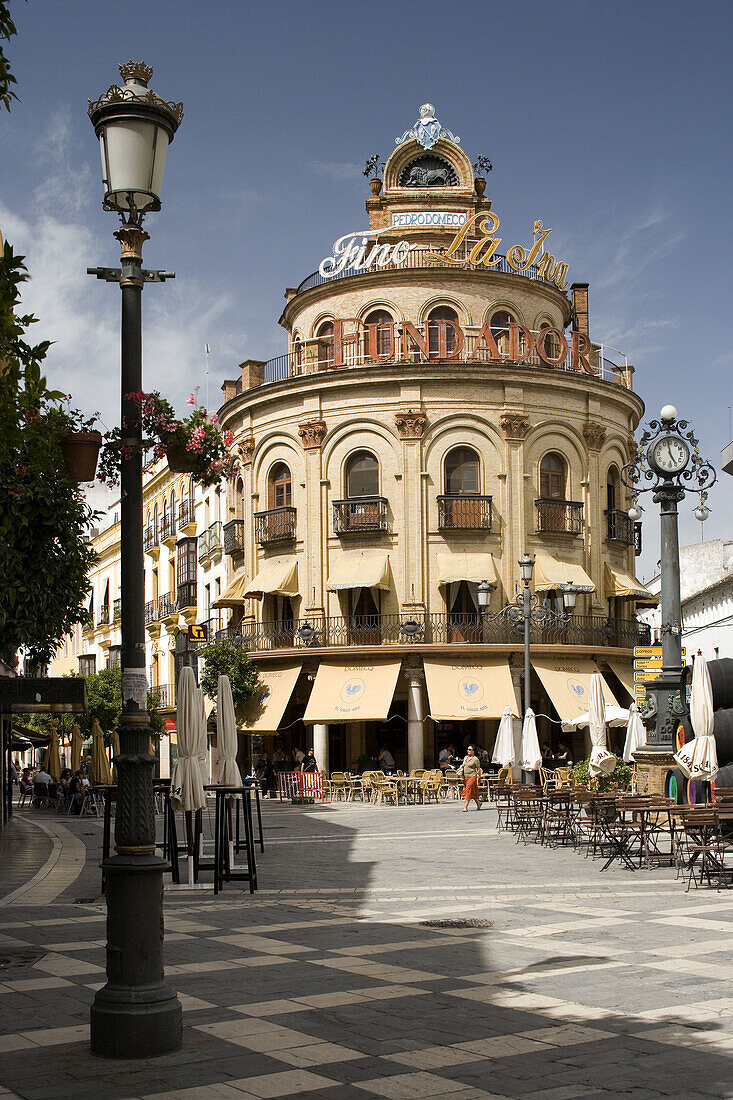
(669, 458)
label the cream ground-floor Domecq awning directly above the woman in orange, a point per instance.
(479, 689)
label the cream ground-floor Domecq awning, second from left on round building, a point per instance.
(355, 691)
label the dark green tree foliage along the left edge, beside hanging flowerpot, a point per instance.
(45, 558)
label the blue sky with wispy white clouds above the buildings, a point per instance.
(609, 122)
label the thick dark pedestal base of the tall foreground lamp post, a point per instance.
(136, 1015)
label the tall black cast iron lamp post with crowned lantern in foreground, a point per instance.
(136, 1015)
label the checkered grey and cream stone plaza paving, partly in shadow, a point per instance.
(335, 981)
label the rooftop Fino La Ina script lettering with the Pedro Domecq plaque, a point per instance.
(353, 252)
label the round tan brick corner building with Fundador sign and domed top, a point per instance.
(442, 411)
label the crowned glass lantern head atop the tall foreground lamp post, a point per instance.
(135, 127)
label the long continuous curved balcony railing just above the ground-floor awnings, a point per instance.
(440, 629)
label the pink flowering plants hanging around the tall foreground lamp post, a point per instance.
(199, 436)
